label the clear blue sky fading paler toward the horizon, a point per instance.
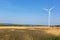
(29, 12)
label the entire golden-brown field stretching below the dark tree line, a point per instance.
(29, 33)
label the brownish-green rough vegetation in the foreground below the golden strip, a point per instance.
(25, 34)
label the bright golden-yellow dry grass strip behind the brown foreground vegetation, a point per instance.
(52, 30)
